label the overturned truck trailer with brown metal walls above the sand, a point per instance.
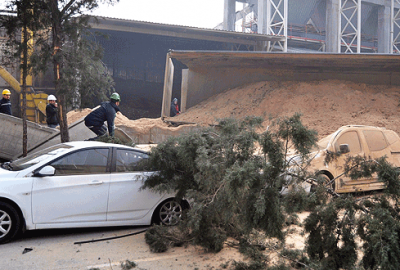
(209, 73)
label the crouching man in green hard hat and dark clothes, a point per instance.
(105, 112)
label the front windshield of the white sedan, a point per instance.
(36, 157)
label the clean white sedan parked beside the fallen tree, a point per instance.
(81, 184)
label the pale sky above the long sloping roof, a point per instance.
(196, 13)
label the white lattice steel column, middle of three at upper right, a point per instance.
(350, 26)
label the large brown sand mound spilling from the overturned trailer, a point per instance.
(325, 105)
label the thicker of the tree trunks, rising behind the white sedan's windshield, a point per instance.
(57, 67)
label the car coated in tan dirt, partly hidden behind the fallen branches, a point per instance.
(354, 140)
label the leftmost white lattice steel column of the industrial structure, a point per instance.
(277, 21)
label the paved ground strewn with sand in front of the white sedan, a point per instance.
(55, 249)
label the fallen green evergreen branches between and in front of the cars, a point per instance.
(232, 175)
